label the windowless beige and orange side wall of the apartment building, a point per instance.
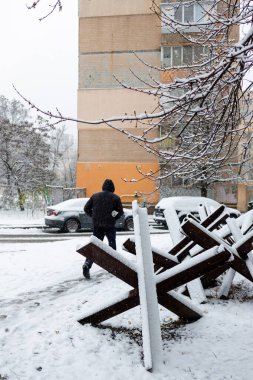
(109, 32)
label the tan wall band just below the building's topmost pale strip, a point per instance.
(121, 33)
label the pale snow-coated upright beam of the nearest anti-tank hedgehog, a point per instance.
(151, 329)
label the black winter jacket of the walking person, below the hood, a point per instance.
(100, 207)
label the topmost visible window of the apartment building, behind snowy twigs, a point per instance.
(192, 13)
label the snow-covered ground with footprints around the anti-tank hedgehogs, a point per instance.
(43, 294)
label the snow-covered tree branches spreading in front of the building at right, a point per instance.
(199, 124)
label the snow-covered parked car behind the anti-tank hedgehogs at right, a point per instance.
(185, 205)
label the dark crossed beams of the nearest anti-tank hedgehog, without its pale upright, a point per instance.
(172, 279)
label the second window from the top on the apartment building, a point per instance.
(176, 56)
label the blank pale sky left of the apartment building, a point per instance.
(40, 57)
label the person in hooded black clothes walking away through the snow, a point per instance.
(105, 208)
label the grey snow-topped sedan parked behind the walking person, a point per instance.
(69, 216)
